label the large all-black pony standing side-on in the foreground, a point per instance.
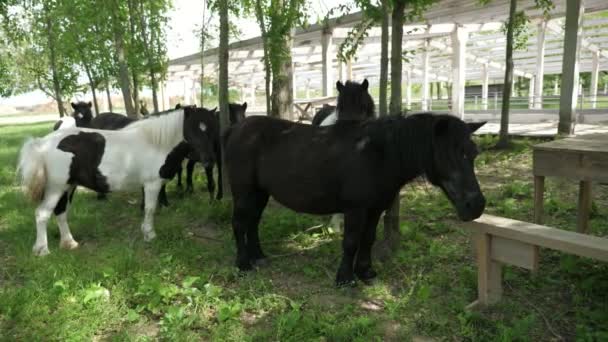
(353, 167)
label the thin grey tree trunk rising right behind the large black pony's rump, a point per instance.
(223, 83)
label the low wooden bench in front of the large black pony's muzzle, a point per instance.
(499, 241)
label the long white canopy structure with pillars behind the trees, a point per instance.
(457, 41)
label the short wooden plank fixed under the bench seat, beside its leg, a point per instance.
(516, 253)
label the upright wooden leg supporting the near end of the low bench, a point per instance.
(489, 276)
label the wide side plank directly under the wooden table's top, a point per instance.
(571, 165)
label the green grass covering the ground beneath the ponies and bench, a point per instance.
(184, 286)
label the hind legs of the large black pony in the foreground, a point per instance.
(247, 212)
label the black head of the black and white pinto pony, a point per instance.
(201, 131)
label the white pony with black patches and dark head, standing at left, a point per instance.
(141, 154)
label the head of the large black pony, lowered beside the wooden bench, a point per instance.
(452, 166)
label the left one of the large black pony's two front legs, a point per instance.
(353, 228)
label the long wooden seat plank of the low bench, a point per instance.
(570, 242)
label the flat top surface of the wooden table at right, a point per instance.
(592, 143)
